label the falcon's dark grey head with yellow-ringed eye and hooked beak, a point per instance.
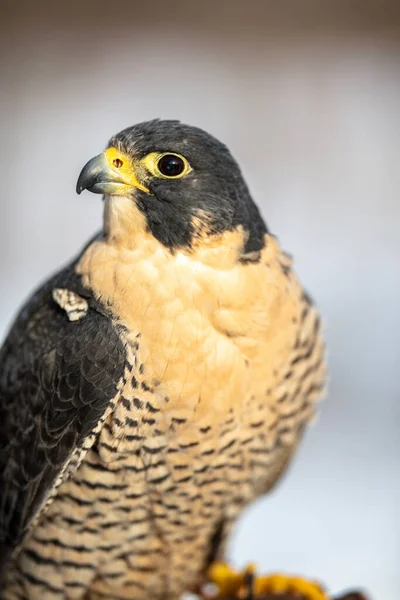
(174, 181)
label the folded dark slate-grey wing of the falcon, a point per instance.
(57, 378)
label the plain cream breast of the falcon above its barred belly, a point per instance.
(212, 330)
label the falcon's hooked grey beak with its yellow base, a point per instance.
(111, 172)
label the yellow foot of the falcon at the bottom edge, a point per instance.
(246, 585)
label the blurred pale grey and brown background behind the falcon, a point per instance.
(307, 96)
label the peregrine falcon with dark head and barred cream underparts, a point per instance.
(157, 384)
